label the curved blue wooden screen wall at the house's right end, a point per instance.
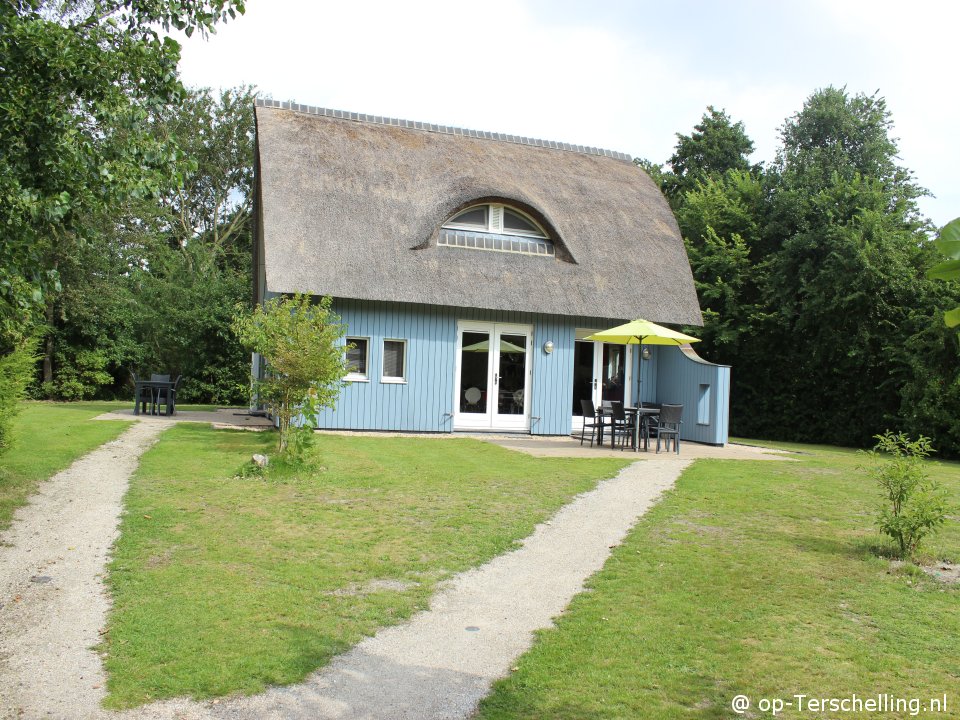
(701, 387)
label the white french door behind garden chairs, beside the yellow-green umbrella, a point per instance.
(601, 371)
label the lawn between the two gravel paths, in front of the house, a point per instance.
(223, 584)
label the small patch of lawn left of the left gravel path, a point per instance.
(48, 438)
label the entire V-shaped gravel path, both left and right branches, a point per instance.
(439, 665)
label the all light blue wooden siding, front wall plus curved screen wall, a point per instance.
(425, 402)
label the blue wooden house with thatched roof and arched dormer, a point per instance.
(469, 266)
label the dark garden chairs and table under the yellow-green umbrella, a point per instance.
(627, 425)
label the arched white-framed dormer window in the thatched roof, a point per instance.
(497, 227)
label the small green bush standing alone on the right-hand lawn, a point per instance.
(914, 506)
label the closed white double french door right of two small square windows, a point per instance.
(492, 382)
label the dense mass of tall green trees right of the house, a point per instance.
(811, 276)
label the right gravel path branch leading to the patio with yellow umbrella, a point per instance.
(441, 663)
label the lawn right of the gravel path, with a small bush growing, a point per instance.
(760, 578)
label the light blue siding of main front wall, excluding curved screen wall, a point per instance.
(425, 403)
